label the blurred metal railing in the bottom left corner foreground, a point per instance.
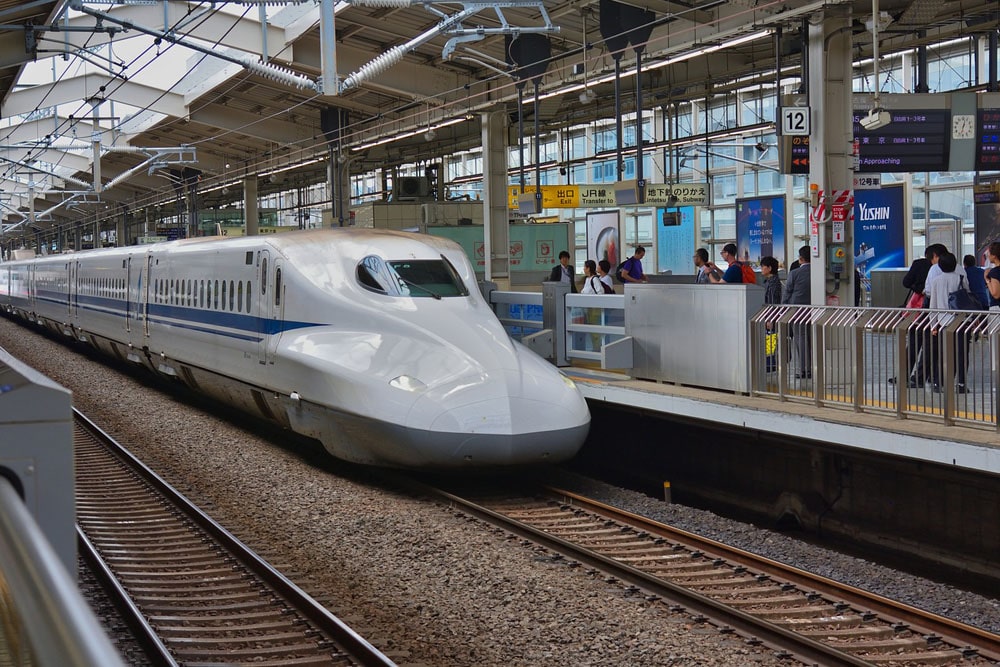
(44, 621)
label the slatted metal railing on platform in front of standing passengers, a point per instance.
(940, 365)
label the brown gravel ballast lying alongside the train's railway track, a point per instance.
(424, 584)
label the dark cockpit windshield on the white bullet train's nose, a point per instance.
(418, 278)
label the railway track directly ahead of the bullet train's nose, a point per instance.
(801, 615)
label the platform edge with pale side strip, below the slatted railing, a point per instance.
(967, 447)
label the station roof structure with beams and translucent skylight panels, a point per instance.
(156, 91)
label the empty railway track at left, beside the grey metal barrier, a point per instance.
(193, 593)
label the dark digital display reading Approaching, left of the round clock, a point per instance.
(915, 140)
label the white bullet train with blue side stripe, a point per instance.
(376, 343)
